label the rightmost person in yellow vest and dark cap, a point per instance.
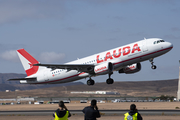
(132, 114)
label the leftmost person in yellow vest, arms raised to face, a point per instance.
(62, 112)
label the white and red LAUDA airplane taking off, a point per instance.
(125, 59)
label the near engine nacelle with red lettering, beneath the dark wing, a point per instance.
(104, 68)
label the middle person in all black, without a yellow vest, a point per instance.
(91, 112)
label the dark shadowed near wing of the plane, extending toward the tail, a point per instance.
(79, 67)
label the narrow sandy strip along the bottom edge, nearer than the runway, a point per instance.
(82, 118)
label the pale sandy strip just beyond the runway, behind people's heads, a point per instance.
(102, 106)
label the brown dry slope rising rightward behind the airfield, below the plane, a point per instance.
(137, 89)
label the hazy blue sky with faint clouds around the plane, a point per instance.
(60, 31)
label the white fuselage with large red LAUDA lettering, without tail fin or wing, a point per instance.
(120, 57)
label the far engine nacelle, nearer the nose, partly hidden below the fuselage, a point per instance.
(131, 68)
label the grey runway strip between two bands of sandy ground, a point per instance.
(79, 112)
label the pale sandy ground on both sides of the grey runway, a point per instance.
(80, 106)
